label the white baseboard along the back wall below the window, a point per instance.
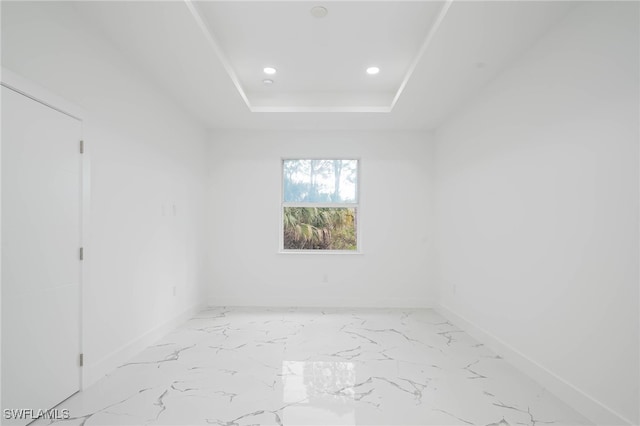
(393, 303)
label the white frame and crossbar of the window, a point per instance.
(355, 206)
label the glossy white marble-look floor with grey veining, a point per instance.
(237, 367)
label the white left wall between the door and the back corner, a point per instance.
(146, 156)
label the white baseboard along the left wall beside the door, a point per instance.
(92, 372)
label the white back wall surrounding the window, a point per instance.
(395, 221)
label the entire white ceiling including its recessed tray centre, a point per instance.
(433, 56)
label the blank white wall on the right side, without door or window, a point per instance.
(537, 209)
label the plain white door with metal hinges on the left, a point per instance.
(41, 194)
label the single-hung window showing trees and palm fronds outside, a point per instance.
(320, 205)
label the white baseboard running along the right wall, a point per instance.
(588, 406)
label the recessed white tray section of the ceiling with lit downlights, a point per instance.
(321, 62)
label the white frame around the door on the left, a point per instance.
(32, 90)
